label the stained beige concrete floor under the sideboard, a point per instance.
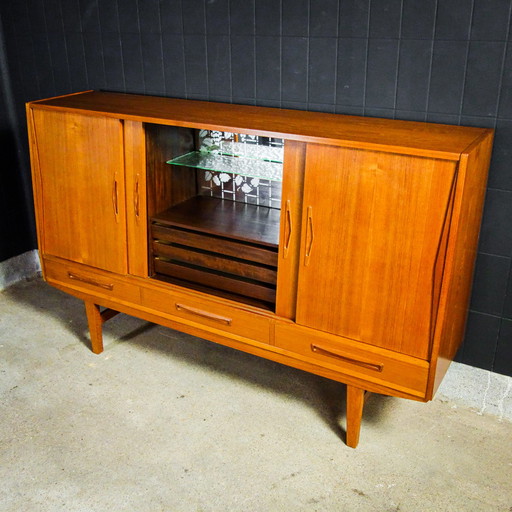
(162, 421)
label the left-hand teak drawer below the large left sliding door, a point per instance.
(89, 280)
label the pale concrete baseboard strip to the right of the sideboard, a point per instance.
(481, 390)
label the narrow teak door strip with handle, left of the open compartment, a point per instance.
(136, 207)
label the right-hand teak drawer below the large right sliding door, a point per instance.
(359, 360)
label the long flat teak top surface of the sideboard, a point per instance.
(426, 139)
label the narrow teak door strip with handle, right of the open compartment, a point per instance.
(290, 232)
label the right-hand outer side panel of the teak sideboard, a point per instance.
(461, 256)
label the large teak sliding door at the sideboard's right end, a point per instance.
(374, 238)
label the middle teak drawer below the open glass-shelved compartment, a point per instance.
(208, 314)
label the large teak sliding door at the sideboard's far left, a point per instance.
(82, 180)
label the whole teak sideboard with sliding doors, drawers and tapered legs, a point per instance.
(339, 245)
